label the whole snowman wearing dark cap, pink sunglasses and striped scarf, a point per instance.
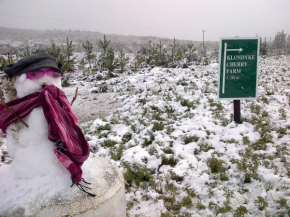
(50, 153)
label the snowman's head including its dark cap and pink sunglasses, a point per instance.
(35, 72)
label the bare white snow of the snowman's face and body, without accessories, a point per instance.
(35, 174)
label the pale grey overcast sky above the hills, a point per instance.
(182, 19)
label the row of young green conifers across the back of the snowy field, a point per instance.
(152, 54)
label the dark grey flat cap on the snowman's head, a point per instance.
(36, 61)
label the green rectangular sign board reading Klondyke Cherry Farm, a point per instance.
(238, 73)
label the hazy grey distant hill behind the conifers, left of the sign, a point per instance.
(14, 39)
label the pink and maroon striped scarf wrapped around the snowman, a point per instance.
(71, 148)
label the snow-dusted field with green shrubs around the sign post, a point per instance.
(179, 149)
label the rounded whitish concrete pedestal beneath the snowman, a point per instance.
(108, 188)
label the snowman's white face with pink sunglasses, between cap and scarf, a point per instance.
(36, 80)
